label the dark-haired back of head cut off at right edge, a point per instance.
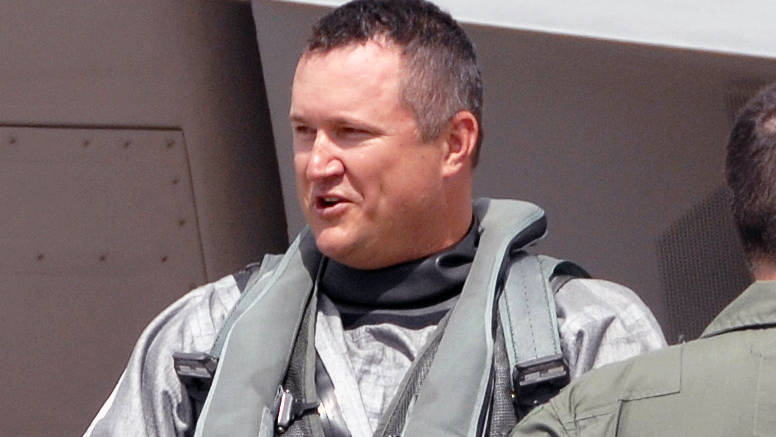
(751, 176)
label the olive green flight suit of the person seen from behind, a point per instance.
(723, 384)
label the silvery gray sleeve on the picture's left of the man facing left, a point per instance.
(148, 399)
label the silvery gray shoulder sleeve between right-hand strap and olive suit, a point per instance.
(602, 322)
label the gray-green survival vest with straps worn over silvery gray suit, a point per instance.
(499, 345)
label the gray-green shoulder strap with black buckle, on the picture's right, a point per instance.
(530, 326)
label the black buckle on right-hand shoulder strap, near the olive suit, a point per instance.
(536, 381)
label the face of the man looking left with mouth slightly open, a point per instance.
(369, 188)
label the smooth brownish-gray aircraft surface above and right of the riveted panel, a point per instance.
(192, 65)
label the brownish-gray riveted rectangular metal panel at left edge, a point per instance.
(79, 201)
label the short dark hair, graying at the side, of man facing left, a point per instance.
(441, 76)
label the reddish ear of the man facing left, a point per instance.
(461, 141)
